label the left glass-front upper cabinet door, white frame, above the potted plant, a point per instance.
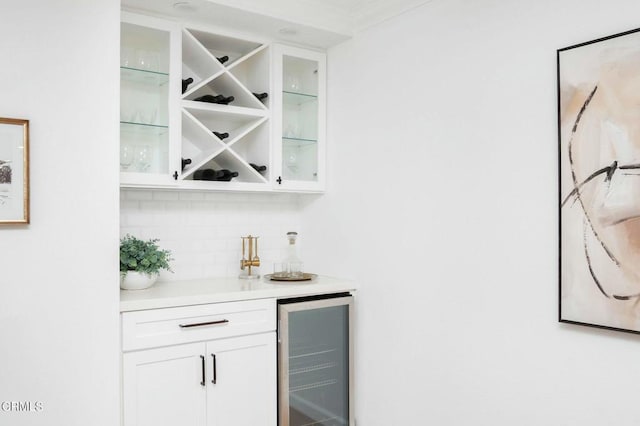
(148, 97)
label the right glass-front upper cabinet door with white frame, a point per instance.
(299, 130)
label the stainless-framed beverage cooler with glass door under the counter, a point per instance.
(315, 361)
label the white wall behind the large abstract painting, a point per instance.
(442, 202)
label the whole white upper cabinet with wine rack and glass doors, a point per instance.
(203, 110)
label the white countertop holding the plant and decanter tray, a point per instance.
(214, 290)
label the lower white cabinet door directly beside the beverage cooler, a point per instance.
(242, 381)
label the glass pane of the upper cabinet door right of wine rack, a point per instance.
(300, 119)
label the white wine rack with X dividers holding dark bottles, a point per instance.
(225, 137)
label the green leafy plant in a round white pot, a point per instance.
(141, 262)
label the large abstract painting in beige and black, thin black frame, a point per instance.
(599, 182)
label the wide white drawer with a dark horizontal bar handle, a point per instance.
(171, 326)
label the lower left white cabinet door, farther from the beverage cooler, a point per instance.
(165, 387)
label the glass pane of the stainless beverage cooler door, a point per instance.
(319, 366)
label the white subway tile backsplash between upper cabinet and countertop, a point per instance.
(203, 229)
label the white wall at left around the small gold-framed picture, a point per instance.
(58, 275)
